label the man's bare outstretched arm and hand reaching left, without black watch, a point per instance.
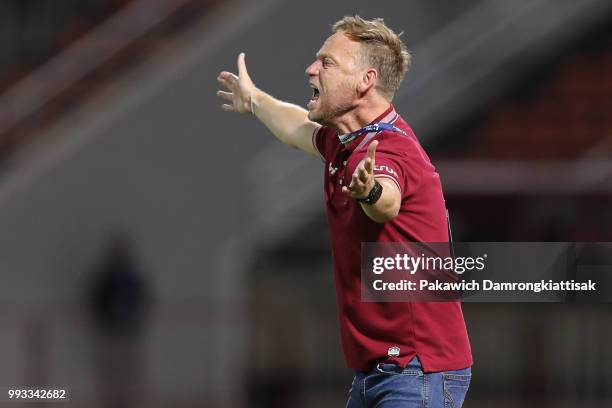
(288, 122)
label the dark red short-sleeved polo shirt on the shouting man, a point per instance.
(434, 331)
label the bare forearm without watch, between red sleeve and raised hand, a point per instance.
(288, 122)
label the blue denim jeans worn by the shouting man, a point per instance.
(390, 386)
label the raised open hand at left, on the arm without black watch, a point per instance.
(241, 88)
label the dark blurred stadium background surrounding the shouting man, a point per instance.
(157, 251)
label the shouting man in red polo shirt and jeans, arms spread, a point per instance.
(379, 187)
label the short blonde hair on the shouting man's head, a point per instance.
(382, 49)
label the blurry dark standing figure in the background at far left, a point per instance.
(120, 300)
